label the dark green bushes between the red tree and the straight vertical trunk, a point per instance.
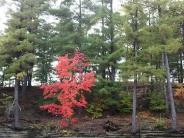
(111, 98)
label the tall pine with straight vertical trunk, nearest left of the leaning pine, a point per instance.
(133, 24)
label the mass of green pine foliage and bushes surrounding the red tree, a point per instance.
(125, 47)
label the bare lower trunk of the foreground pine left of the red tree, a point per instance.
(16, 106)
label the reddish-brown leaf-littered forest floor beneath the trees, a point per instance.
(31, 116)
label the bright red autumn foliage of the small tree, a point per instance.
(74, 82)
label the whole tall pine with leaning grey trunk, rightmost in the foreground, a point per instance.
(166, 43)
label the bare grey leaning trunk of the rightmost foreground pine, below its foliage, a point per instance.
(170, 92)
